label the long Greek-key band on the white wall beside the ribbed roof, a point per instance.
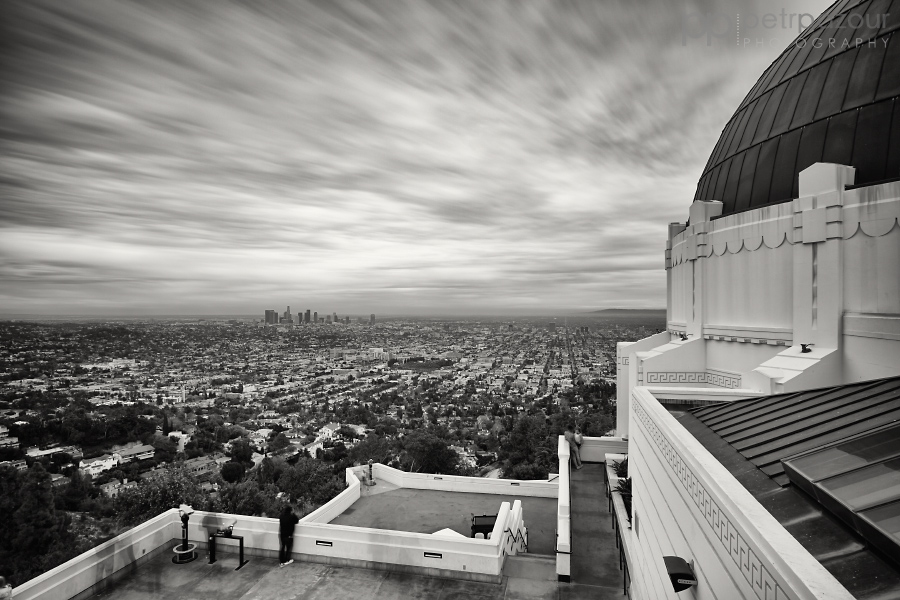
(745, 558)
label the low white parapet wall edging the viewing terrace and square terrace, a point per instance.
(315, 539)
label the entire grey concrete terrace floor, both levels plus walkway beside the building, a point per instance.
(595, 561)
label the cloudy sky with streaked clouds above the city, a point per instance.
(395, 157)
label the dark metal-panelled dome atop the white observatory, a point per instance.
(819, 101)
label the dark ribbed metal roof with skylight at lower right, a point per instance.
(841, 449)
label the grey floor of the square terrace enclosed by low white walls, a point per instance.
(426, 511)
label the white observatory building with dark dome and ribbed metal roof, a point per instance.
(783, 326)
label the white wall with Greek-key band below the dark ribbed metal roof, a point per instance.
(686, 504)
